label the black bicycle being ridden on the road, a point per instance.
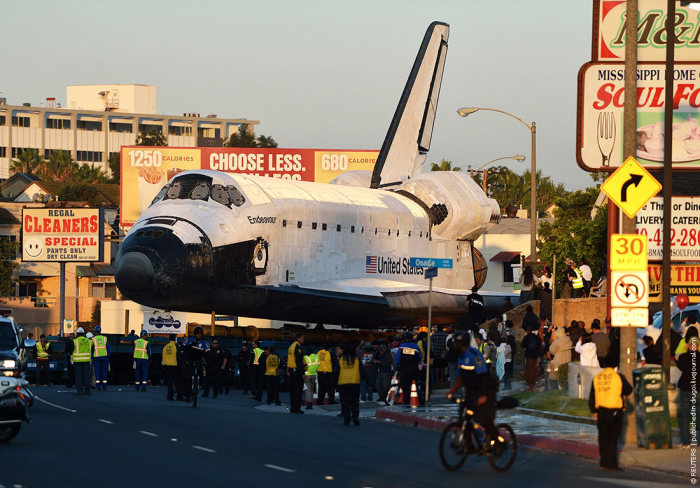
(464, 437)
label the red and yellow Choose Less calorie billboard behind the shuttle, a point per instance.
(146, 169)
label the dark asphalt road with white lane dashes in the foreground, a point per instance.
(128, 438)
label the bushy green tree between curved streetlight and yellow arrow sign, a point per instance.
(573, 234)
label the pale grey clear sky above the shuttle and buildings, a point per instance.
(321, 74)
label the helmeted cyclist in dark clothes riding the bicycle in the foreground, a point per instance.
(480, 389)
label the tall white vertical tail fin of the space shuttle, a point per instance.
(408, 140)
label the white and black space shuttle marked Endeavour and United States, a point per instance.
(333, 253)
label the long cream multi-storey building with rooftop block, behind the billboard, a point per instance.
(98, 121)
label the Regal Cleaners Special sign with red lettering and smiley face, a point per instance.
(62, 234)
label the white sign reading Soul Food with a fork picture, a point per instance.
(600, 116)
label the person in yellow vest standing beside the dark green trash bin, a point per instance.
(607, 401)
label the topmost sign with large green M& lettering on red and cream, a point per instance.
(609, 31)
